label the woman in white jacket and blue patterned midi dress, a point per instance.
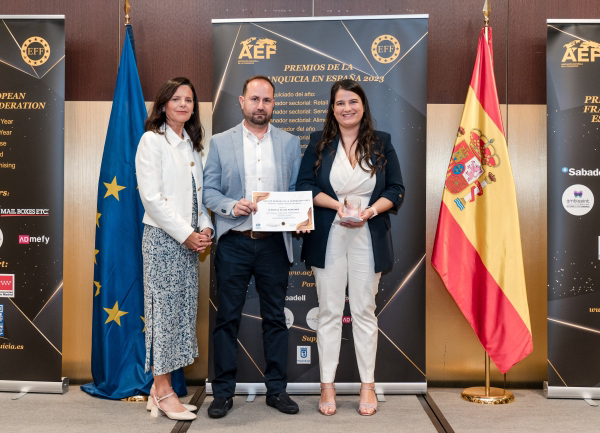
(176, 227)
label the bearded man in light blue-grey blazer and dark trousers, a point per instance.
(252, 156)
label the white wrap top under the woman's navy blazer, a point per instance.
(347, 181)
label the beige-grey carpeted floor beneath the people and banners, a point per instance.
(76, 412)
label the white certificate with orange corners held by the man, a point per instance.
(280, 211)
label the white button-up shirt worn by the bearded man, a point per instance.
(259, 167)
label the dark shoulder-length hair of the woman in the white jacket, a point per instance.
(158, 116)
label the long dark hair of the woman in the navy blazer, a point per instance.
(366, 141)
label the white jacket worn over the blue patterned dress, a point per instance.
(164, 166)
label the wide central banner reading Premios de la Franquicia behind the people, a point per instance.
(387, 55)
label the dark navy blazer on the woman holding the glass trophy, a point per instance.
(388, 184)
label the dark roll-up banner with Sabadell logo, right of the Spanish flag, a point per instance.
(573, 98)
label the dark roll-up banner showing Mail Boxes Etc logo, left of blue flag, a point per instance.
(32, 113)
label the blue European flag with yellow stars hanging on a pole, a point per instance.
(118, 331)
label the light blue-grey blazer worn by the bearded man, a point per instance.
(224, 175)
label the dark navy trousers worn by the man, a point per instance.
(237, 259)
